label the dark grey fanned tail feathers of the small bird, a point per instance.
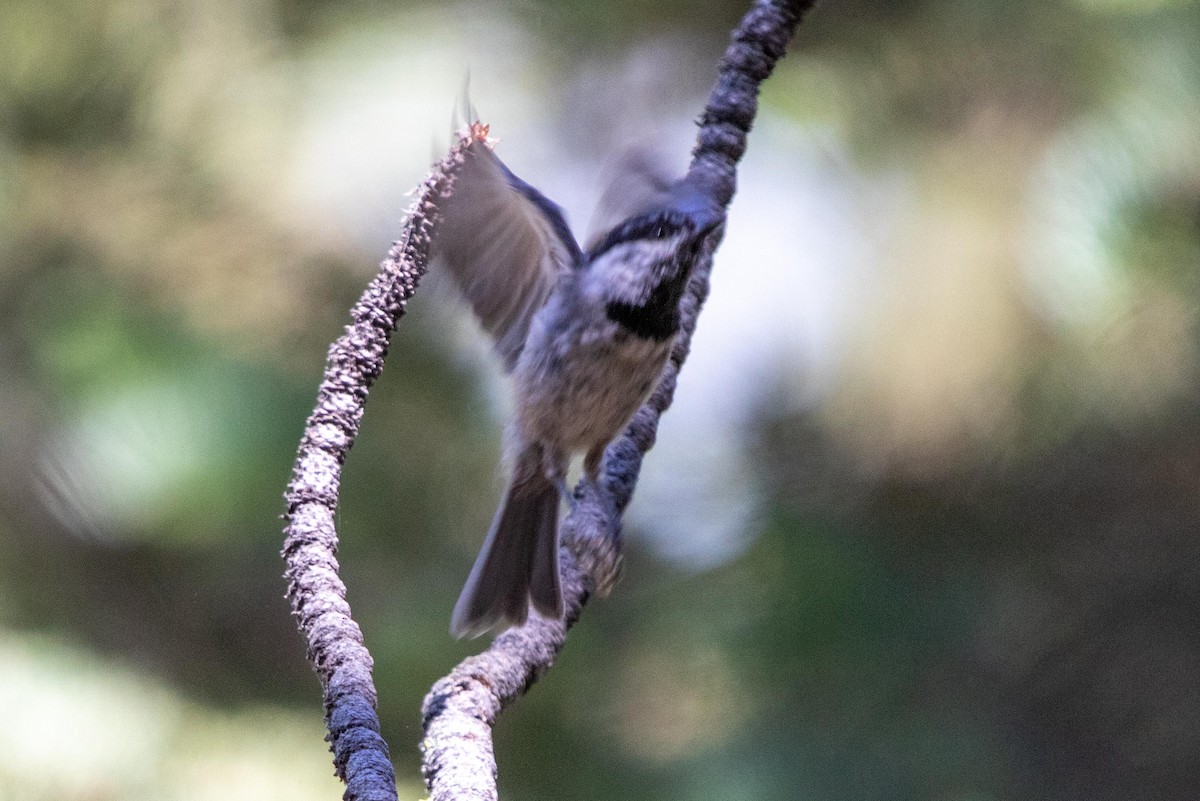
(519, 562)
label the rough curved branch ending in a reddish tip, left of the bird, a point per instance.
(310, 549)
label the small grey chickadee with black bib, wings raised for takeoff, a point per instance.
(585, 336)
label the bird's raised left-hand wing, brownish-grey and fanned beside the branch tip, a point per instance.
(506, 244)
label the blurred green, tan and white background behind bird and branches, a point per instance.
(922, 526)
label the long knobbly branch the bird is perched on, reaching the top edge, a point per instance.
(459, 713)
